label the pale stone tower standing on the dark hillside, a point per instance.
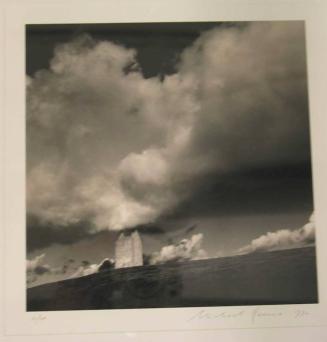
(128, 250)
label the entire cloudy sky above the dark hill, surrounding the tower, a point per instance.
(194, 131)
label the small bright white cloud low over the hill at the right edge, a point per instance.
(282, 239)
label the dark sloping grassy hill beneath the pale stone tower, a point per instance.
(278, 277)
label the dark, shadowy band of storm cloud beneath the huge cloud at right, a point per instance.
(257, 191)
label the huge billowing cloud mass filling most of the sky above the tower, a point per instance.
(107, 146)
